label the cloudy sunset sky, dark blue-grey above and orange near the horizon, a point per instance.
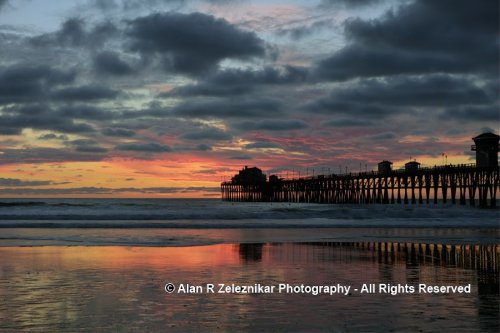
(151, 98)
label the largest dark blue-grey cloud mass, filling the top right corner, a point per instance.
(425, 36)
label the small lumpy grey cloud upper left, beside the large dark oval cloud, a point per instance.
(74, 33)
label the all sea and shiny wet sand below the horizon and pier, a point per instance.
(103, 265)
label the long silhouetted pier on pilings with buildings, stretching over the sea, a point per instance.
(473, 184)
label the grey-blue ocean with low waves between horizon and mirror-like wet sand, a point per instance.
(169, 222)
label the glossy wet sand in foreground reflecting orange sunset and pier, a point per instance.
(121, 288)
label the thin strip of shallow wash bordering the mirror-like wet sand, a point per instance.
(183, 237)
